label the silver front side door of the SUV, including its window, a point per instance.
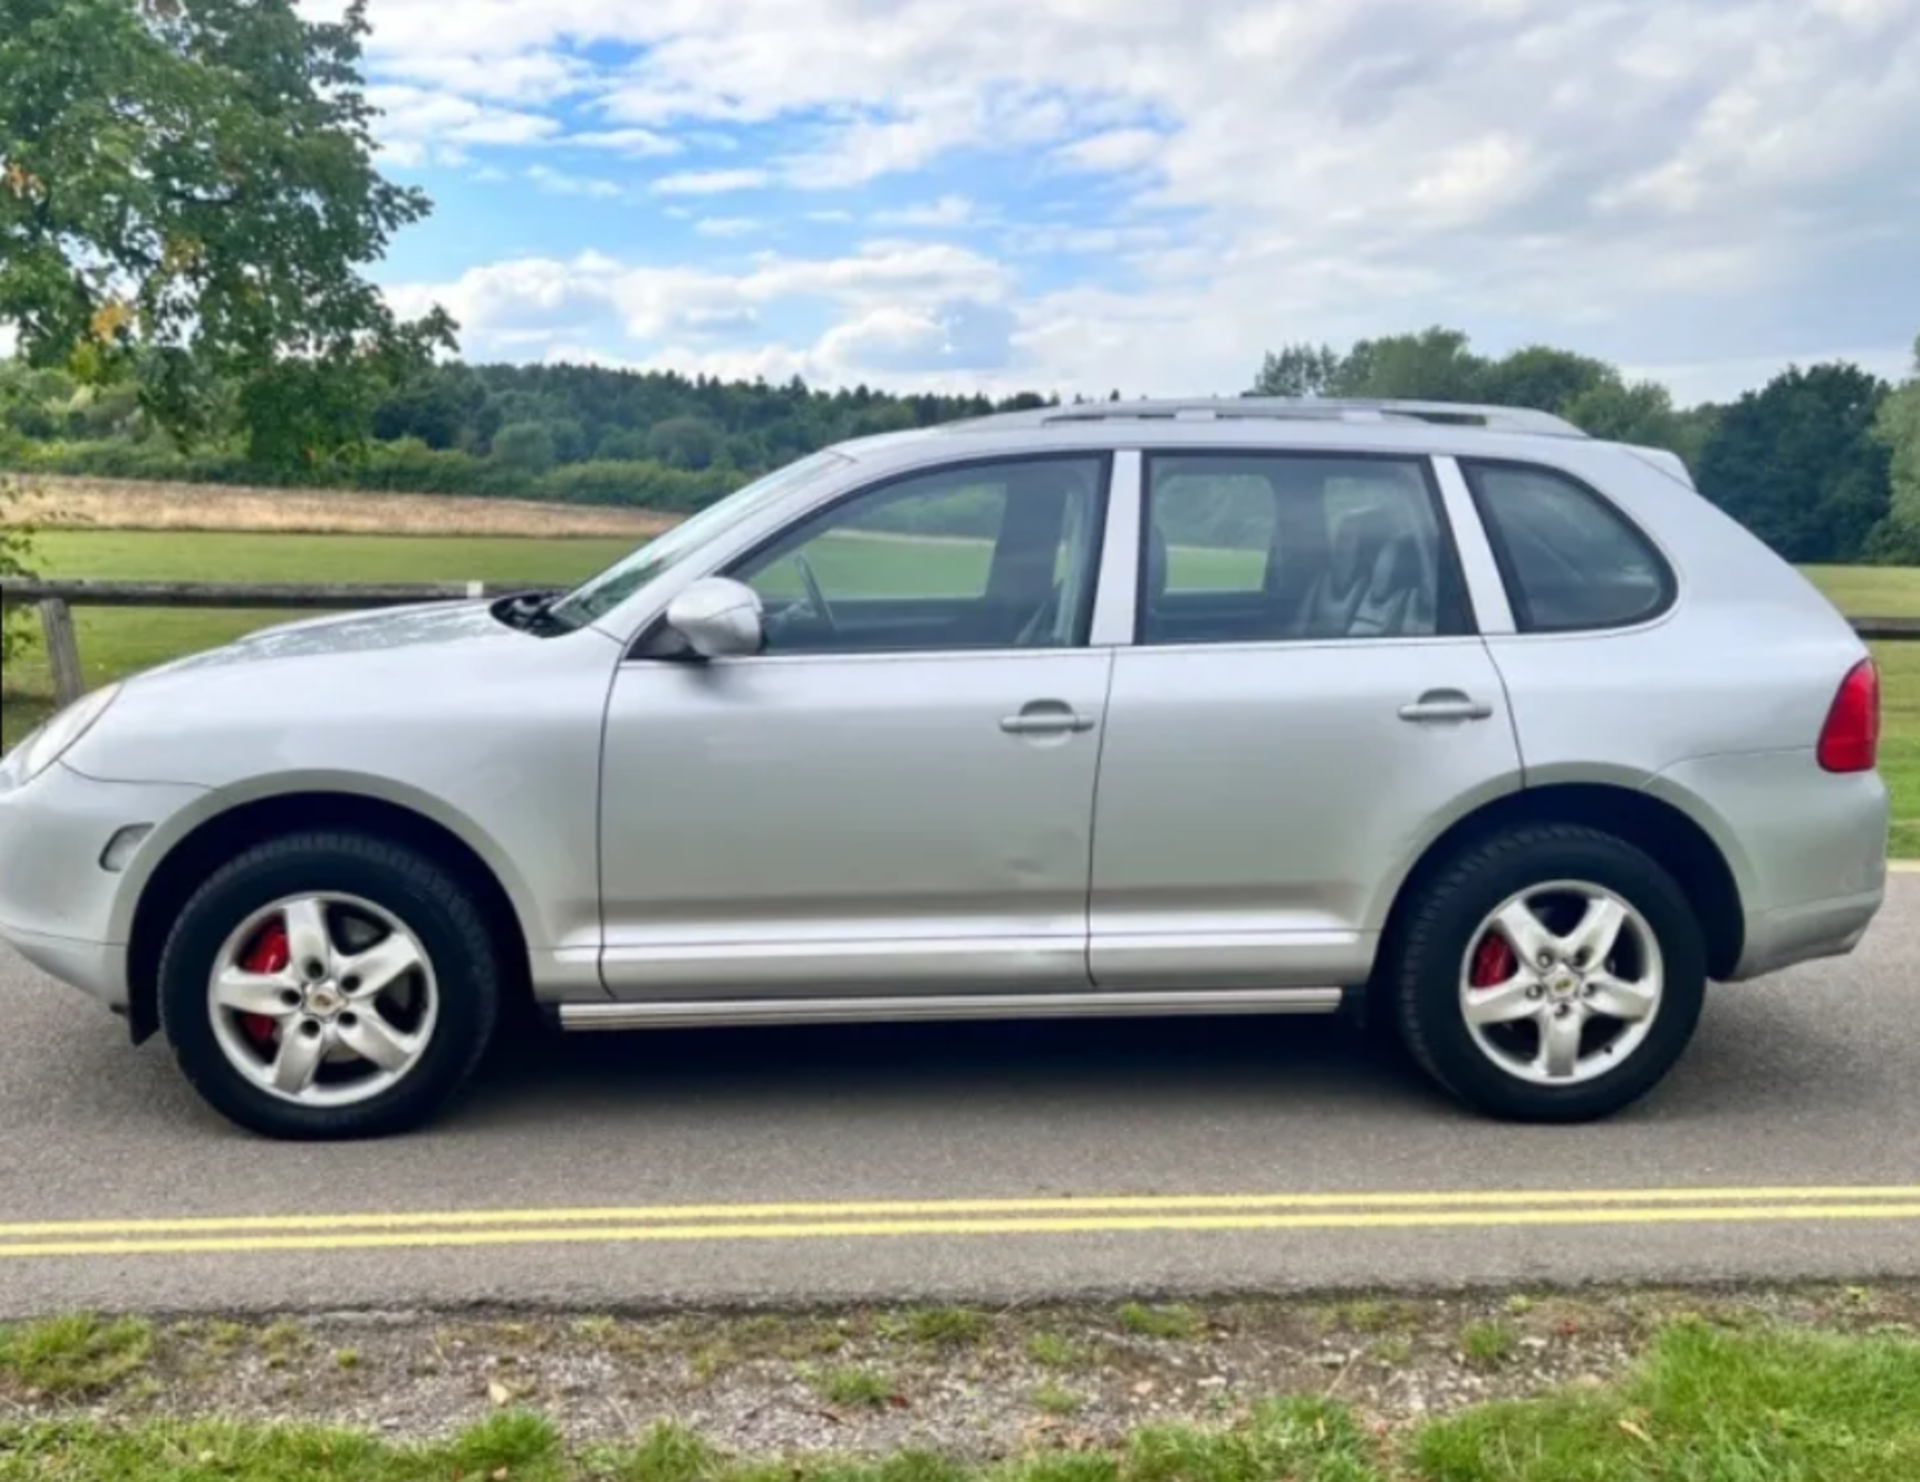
(896, 796)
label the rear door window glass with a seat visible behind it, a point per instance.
(1278, 548)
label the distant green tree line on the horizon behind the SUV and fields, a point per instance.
(1823, 462)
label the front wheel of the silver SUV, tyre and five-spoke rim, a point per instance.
(329, 986)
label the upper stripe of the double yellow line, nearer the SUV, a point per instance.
(1126, 1205)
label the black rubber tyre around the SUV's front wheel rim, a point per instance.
(398, 880)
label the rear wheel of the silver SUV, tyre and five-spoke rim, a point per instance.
(1552, 974)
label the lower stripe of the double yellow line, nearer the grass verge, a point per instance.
(1410, 1220)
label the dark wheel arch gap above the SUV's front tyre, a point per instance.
(235, 825)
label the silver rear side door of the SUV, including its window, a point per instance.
(1303, 709)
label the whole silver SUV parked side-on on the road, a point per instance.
(1236, 707)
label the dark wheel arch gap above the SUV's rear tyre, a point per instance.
(1652, 825)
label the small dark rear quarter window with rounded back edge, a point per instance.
(1572, 562)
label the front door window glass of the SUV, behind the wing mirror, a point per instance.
(980, 558)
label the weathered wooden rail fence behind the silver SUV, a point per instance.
(57, 602)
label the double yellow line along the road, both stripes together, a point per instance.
(708, 1224)
